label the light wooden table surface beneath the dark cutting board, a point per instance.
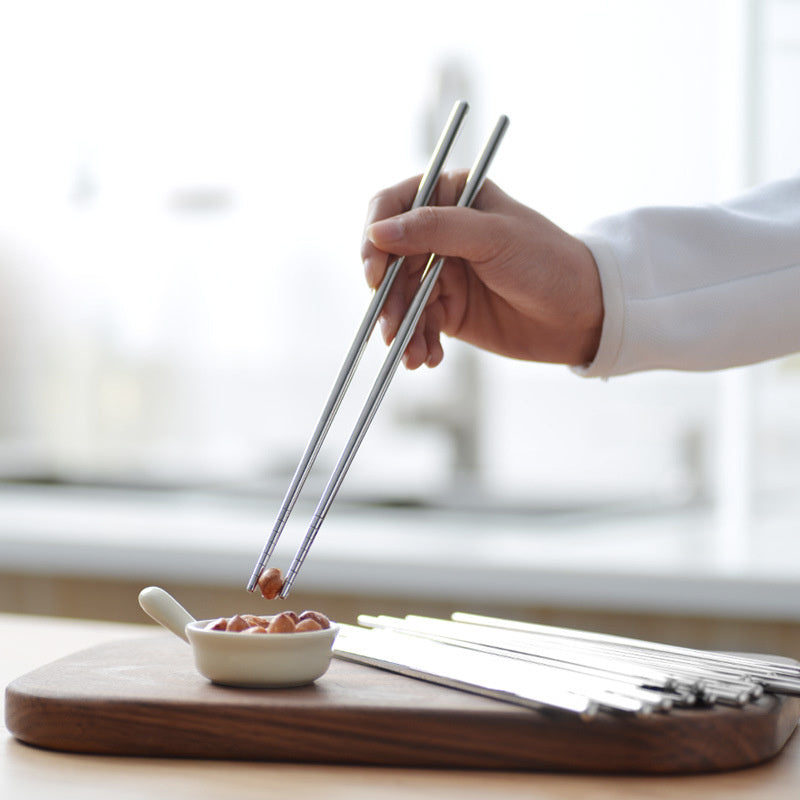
(27, 642)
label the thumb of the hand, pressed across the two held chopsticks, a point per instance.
(444, 230)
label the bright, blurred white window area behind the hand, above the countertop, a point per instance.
(183, 189)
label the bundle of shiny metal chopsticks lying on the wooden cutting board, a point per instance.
(542, 666)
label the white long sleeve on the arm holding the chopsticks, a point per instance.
(699, 288)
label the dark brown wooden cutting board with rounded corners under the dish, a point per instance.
(143, 697)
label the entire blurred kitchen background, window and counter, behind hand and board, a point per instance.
(182, 192)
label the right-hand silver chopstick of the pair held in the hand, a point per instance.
(473, 185)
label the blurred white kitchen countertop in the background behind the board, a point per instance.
(673, 562)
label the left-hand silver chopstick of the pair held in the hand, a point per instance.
(427, 185)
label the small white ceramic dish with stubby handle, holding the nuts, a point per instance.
(270, 660)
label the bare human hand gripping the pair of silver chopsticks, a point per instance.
(513, 283)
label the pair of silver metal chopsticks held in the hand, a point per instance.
(430, 275)
